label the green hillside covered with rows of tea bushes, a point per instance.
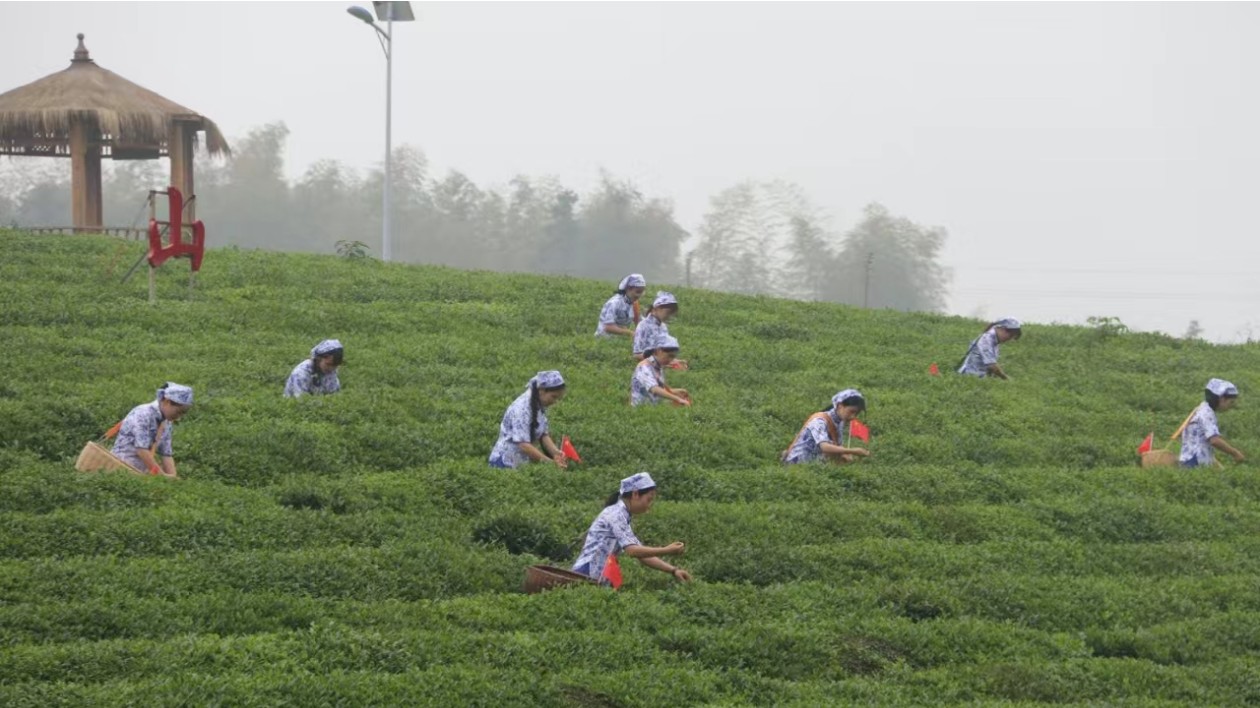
(1000, 547)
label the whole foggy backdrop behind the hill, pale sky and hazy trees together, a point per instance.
(1049, 162)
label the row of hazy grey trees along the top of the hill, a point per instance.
(757, 237)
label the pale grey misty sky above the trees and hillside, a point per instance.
(1087, 159)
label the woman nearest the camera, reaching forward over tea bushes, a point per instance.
(610, 536)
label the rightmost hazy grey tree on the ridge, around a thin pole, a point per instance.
(891, 263)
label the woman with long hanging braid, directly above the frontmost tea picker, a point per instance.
(525, 433)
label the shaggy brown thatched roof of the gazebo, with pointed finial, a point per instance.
(36, 119)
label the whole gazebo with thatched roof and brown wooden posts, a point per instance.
(86, 113)
